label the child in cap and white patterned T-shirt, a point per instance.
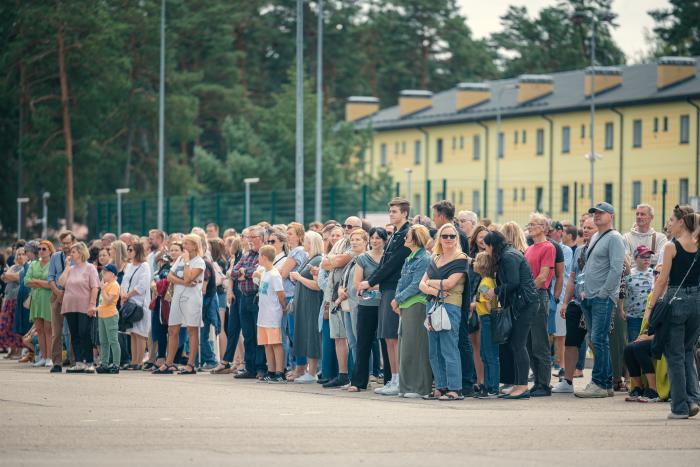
(639, 284)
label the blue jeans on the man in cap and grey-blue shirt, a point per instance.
(598, 314)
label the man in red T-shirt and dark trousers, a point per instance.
(540, 256)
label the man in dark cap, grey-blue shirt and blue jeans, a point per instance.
(602, 273)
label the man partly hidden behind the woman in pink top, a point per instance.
(56, 267)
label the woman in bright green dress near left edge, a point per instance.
(40, 308)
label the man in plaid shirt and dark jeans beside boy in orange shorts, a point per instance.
(242, 274)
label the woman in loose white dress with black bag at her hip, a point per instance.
(136, 288)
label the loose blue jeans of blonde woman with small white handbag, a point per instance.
(443, 352)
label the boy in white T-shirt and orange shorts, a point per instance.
(271, 303)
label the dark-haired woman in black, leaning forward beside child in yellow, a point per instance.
(515, 289)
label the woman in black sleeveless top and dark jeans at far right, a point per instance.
(680, 271)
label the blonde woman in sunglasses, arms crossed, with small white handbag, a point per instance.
(444, 281)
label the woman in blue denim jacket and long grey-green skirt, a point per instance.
(410, 304)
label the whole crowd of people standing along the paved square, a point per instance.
(439, 308)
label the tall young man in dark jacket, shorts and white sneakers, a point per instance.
(387, 277)
